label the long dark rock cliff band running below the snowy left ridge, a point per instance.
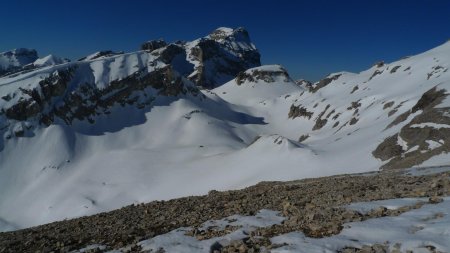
(86, 101)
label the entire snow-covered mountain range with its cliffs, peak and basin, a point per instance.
(113, 128)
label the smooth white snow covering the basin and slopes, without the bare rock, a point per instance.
(236, 136)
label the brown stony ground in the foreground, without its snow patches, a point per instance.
(315, 207)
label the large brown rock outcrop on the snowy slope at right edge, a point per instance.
(426, 135)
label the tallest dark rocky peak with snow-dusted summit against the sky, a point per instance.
(209, 61)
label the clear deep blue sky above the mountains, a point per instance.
(310, 38)
